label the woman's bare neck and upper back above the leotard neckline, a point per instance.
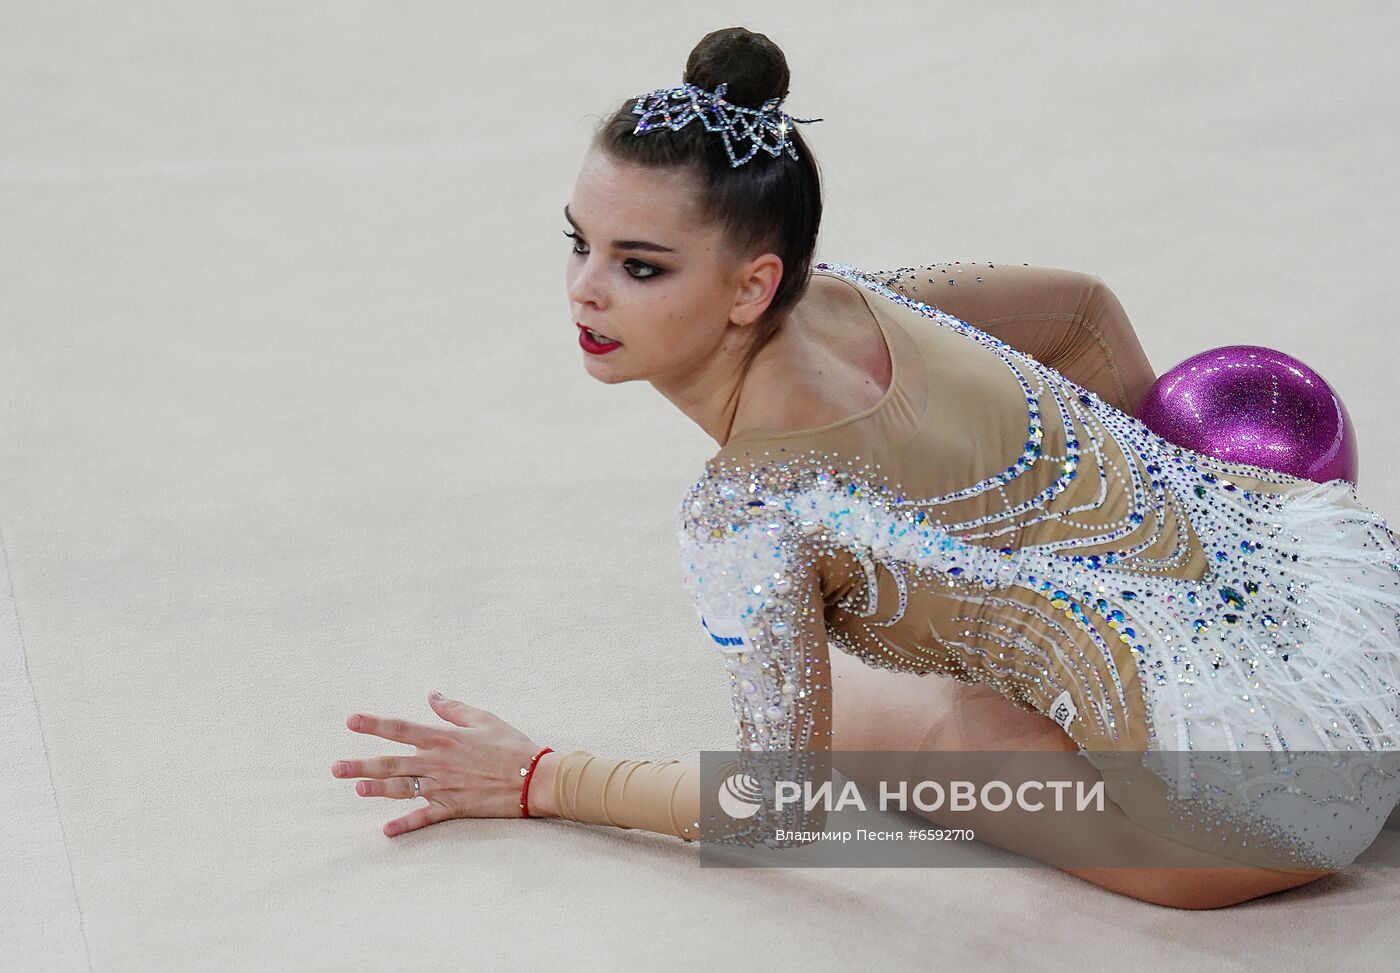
(829, 362)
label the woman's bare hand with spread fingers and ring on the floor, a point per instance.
(467, 768)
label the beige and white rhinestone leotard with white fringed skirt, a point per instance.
(993, 521)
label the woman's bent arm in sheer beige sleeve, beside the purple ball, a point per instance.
(1067, 320)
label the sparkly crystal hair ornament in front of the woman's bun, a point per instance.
(687, 103)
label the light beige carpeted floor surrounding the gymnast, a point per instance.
(293, 425)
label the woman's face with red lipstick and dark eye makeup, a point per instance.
(661, 289)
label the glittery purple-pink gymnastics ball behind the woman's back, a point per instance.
(1254, 405)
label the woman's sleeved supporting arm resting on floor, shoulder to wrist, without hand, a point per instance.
(759, 598)
